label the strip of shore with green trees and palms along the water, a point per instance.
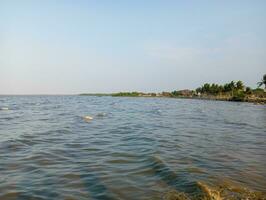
(232, 91)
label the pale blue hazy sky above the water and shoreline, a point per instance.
(98, 46)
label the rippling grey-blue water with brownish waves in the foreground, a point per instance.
(133, 148)
